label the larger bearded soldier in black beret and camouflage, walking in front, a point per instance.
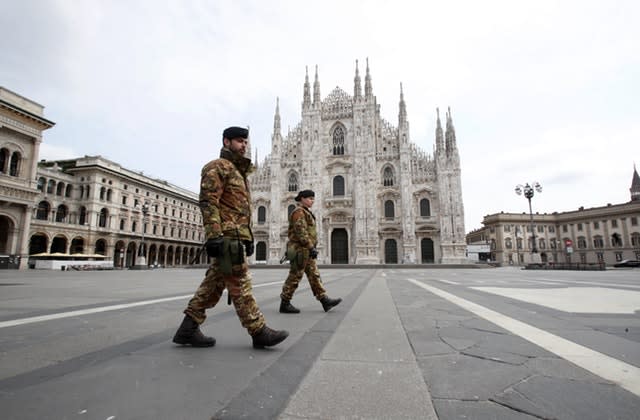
(226, 211)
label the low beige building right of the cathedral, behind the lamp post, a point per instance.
(606, 234)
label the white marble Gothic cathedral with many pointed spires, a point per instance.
(380, 199)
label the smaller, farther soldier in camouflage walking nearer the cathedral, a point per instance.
(302, 253)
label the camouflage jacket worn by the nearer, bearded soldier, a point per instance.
(225, 199)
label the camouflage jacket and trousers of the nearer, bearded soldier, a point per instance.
(225, 203)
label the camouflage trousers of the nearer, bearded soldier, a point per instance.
(239, 288)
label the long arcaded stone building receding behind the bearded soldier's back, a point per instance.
(91, 205)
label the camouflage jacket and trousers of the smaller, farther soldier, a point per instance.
(302, 238)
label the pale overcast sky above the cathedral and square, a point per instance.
(545, 91)
